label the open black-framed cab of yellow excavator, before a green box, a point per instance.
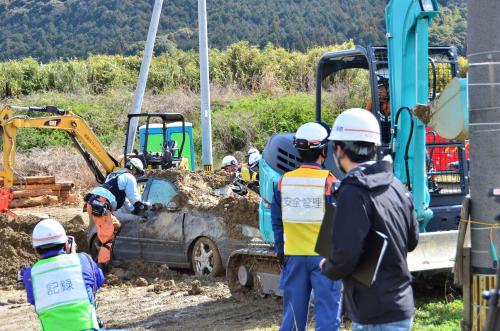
(158, 148)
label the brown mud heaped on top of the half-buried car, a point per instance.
(208, 191)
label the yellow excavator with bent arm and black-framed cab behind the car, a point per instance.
(85, 141)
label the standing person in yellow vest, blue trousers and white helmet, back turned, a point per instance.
(297, 211)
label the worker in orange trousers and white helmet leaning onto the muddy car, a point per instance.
(119, 190)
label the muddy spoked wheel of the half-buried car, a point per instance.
(205, 258)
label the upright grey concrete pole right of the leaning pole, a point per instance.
(206, 113)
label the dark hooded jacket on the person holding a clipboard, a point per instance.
(371, 197)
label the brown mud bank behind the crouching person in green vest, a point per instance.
(16, 251)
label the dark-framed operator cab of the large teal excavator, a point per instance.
(447, 168)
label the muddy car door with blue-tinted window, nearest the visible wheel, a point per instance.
(161, 232)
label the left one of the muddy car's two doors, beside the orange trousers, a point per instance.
(127, 245)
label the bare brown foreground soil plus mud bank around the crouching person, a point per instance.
(136, 296)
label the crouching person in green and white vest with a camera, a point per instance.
(62, 284)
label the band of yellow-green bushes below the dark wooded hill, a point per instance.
(241, 65)
